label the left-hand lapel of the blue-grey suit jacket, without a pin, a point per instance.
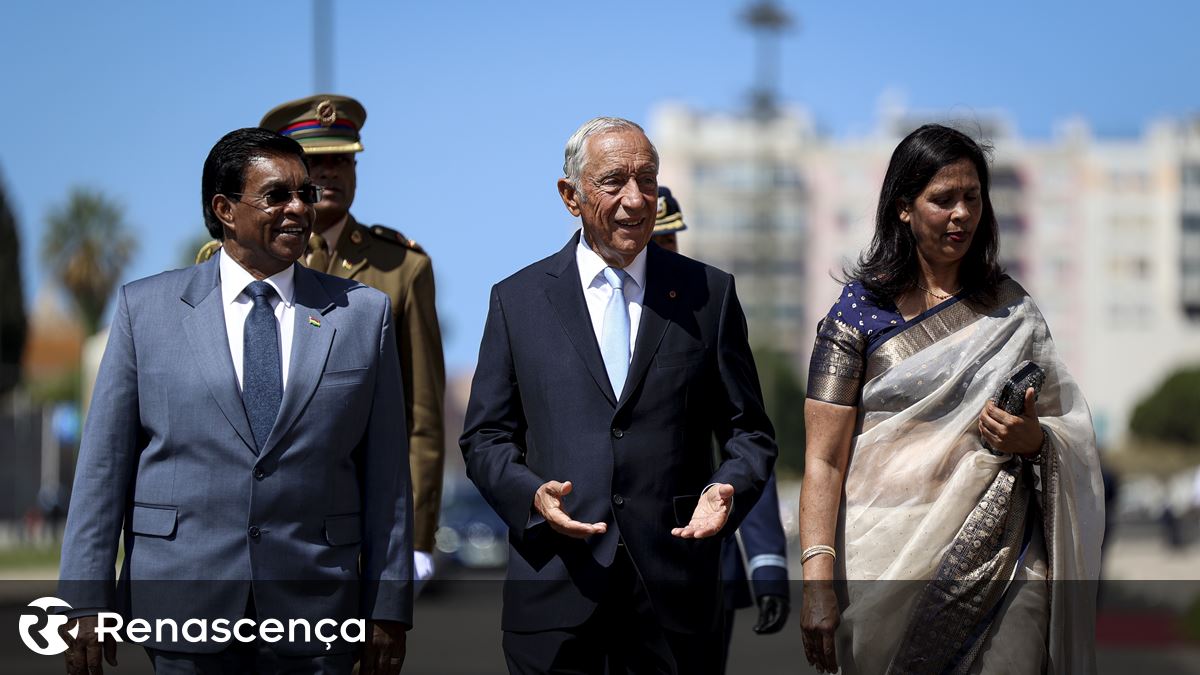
(206, 331)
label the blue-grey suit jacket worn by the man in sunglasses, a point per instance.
(316, 525)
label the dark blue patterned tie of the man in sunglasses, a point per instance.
(262, 374)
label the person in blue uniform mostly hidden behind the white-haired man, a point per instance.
(760, 546)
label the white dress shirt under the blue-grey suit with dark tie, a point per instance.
(237, 304)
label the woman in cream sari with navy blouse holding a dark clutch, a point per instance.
(941, 534)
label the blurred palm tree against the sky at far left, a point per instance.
(87, 246)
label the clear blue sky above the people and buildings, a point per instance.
(470, 104)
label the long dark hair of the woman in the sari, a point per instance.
(890, 268)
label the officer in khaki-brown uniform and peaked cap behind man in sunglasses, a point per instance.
(328, 128)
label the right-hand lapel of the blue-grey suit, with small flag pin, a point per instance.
(310, 349)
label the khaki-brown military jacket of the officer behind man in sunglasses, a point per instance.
(386, 260)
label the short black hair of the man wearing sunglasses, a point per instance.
(225, 170)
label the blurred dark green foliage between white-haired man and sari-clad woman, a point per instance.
(784, 397)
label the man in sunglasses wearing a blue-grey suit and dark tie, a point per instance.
(244, 439)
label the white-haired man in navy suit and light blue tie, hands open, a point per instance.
(604, 373)
